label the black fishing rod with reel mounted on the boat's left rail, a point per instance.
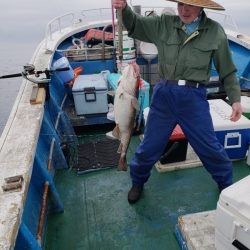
(29, 70)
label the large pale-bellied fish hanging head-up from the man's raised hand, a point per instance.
(126, 106)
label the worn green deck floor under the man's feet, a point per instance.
(97, 215)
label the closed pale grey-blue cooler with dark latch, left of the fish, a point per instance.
(90, 94)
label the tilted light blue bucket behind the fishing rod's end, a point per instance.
(65, 76)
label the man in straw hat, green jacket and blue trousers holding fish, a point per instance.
(187, 45)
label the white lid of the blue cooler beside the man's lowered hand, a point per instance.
(221, 112)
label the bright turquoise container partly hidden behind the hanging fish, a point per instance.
(113, 79)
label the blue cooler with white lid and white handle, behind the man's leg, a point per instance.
(234, 136)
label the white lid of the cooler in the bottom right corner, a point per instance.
(237, 198)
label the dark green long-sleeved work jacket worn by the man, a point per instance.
(186, 57)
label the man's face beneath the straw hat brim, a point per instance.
(188, 13)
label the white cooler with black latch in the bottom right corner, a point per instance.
(232, 220)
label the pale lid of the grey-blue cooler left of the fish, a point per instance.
(97, 81)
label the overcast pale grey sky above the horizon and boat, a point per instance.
(24, 16)
